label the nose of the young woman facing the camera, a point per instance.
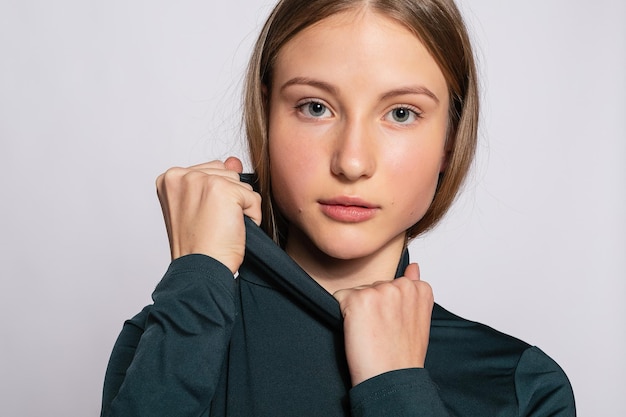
(354, 152)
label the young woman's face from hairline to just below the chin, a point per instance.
(357, 132)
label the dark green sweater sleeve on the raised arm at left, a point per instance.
(167, 359)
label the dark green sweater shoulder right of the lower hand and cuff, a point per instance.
(481, 369)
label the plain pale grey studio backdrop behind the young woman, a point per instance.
(97, 98)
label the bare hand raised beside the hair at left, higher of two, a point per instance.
(203, 208)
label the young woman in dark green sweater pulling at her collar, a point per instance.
(361, 118)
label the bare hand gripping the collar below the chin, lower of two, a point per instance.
(386, 325)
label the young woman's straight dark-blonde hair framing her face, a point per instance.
(439, 26)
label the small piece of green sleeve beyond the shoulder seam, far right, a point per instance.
(542, 387)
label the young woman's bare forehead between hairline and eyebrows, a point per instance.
(359, 46)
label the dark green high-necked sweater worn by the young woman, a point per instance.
(270, 344)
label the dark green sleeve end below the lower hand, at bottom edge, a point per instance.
(401, 393)
